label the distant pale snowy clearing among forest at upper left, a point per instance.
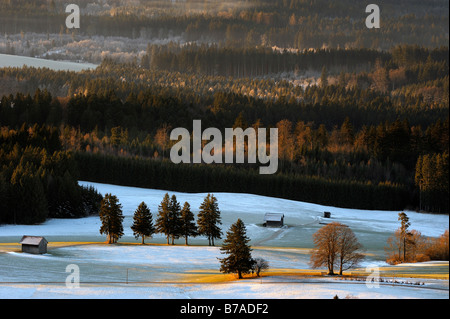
(7, 60)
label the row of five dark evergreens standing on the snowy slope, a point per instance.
(172, 220)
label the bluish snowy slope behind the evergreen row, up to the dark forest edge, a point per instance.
(301, 219)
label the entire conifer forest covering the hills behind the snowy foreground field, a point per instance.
(359, 126)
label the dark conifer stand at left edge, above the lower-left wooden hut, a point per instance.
(38, 180)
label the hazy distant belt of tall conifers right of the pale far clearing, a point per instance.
(254, 62)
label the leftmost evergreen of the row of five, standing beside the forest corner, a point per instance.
(111, 217)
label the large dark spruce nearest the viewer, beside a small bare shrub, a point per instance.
(239, 258)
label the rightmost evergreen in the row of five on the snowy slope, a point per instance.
(209, 219)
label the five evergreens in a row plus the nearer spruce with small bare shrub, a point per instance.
(175, 222)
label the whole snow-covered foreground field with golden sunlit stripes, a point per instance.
(105, 269)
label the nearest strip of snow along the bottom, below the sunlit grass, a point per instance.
(245, 289)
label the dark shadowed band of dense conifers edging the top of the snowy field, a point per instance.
(159, 174)
